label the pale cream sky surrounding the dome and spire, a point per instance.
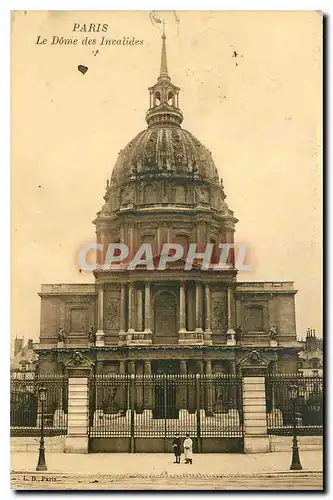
(259, 113)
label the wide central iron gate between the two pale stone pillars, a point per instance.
(143, 413)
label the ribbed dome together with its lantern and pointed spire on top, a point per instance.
(164, 149)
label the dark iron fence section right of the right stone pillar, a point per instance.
(306, 408)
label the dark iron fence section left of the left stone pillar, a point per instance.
(25, 407)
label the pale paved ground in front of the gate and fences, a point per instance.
(158, 472)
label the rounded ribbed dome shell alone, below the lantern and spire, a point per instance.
(163, 150)
